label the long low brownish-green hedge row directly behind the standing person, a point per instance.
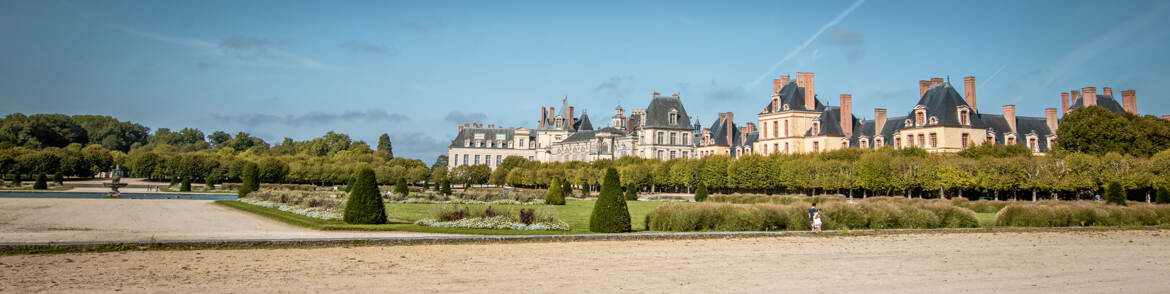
(795, 217)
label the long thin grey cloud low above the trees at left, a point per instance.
(312, 119)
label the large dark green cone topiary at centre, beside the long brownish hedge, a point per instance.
(610, 211)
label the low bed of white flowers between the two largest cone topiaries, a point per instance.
(494, 218)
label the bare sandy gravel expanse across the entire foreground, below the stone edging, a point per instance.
(1126, 262)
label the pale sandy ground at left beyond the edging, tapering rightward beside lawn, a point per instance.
(49, 220)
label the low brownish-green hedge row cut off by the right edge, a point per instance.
(1082, 214)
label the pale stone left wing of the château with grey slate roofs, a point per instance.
(662, 131)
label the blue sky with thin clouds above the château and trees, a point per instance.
(418, 70)
